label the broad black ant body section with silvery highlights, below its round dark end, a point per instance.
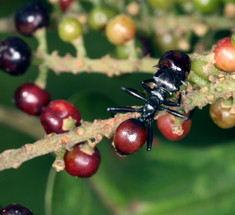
(168, 80)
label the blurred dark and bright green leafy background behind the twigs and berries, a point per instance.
(189, 177)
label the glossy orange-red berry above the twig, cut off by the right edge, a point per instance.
(225, 55)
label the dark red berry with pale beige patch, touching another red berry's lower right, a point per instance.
(60, 116)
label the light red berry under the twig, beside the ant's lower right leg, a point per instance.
(165, 124)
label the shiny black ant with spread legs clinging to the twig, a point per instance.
(173, 69)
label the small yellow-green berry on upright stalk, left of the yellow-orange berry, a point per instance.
(69, 29)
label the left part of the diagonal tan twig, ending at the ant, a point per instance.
(13, 158)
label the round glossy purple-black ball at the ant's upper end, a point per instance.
(178, 61)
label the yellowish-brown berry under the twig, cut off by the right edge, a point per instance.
(221, 115)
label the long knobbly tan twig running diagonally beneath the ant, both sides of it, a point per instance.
(223, 87)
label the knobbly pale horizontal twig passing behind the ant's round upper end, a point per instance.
(105, 65)
